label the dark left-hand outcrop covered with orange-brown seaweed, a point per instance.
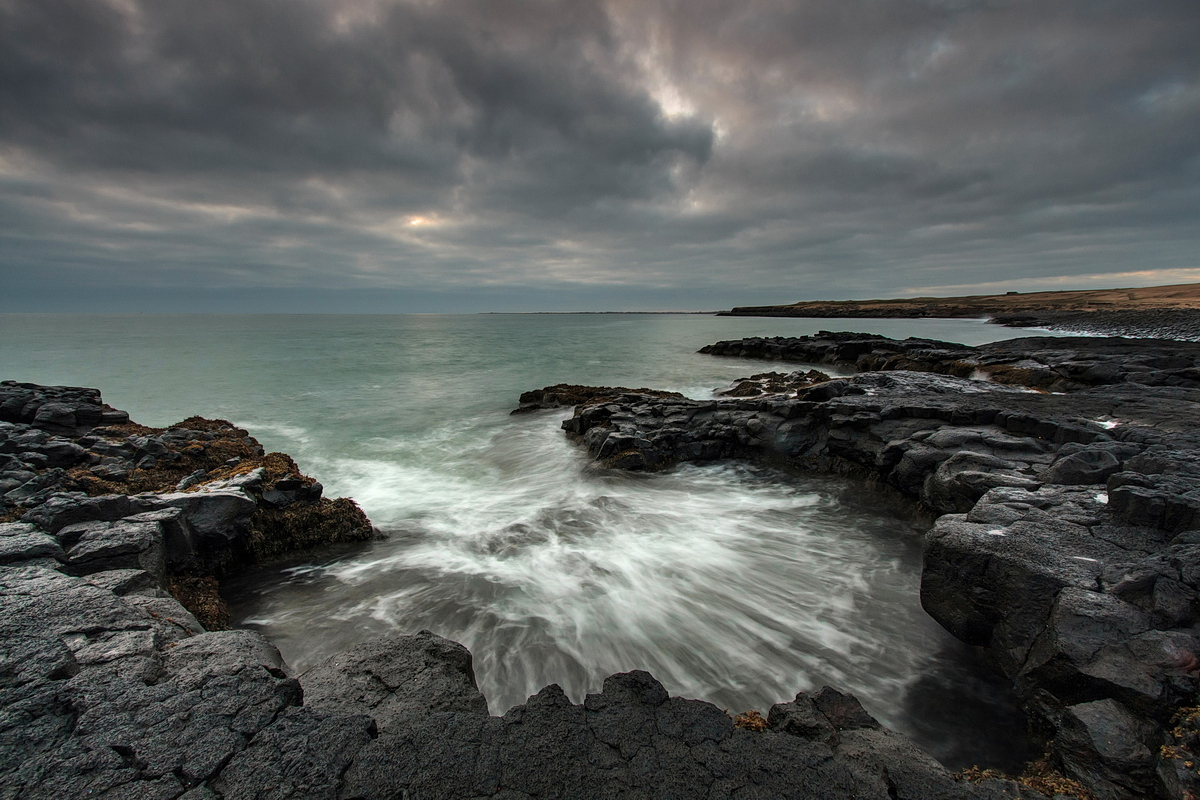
(184, 504)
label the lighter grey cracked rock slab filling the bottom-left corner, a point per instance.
(104, 683)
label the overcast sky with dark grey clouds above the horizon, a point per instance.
(587, 155)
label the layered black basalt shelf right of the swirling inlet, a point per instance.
(1069, 538)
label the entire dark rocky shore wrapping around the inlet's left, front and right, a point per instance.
(1067, 545)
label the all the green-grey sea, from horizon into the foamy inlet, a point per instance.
(731, 584)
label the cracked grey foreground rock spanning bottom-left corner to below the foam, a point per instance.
(101, 695)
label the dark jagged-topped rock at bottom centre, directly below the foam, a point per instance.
(635, 741)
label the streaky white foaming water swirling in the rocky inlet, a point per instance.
(725, 582)
